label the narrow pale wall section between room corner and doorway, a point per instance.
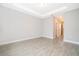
(48, 28)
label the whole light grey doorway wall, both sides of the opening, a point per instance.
(71, 26)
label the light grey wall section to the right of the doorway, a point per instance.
(71, 25)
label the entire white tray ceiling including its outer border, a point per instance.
(43, 10)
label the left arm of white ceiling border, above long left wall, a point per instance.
(21, 9)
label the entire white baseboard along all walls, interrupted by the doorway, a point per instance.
(18, 40)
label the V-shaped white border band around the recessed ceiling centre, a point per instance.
(31, 12)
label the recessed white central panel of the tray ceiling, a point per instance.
(42, 8)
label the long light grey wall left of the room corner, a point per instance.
(15, 25)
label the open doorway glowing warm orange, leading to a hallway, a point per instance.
(58, 28)
